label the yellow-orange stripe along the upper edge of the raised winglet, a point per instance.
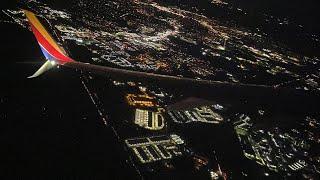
(37, 24)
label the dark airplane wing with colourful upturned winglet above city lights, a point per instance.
(56, 55)
